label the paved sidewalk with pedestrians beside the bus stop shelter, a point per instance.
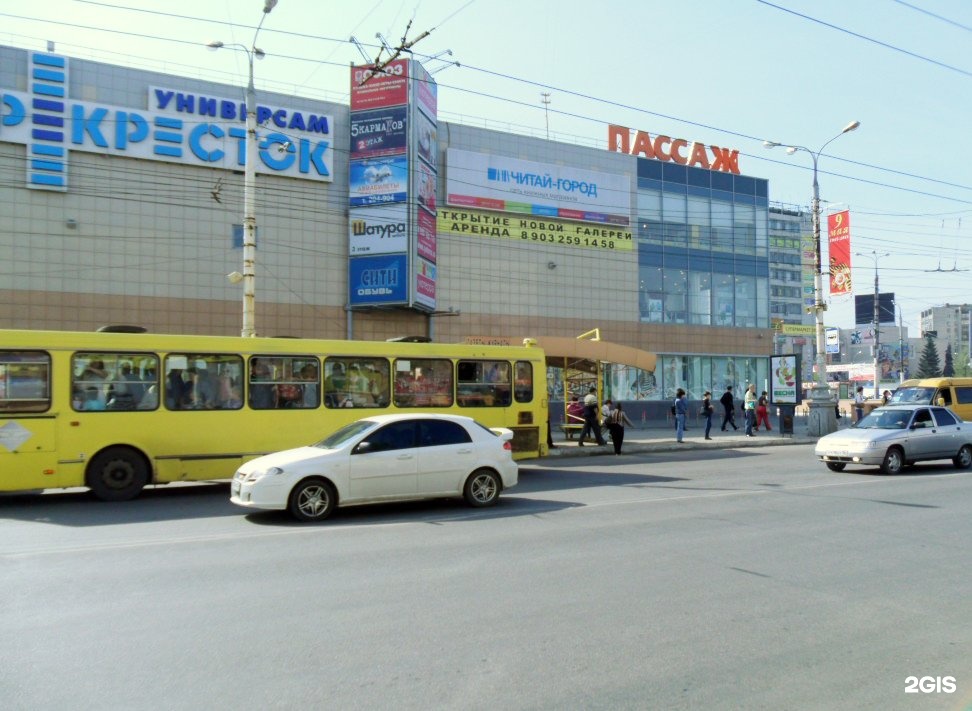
(660, 437)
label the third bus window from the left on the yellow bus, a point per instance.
(199, 381)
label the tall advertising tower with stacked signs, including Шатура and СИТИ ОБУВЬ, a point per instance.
(392, 183)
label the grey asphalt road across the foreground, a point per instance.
(738, 579)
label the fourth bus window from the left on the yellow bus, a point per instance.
(284, 382)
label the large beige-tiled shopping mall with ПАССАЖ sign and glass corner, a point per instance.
(122, 202)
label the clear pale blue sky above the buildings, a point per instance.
(728, 72)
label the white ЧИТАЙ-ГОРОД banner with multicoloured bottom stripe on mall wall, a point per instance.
(478, 180)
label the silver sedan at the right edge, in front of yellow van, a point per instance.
(895, 436)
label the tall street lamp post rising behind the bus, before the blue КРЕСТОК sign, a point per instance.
(249, 179)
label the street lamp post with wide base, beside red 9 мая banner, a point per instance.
(821, 419)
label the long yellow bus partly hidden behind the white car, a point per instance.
(117, 411)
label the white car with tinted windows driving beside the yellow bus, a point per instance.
(382, 458)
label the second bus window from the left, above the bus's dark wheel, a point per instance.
(114, 381)
